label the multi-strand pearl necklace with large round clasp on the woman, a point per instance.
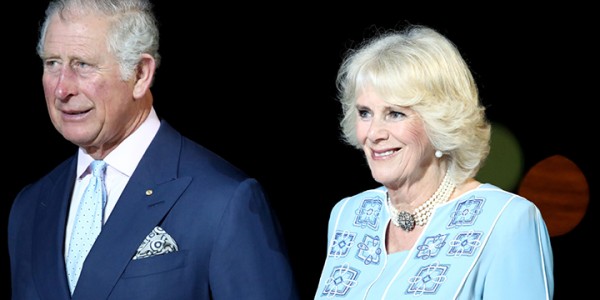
(407, 221)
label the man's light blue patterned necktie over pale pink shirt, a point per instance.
(88, 222)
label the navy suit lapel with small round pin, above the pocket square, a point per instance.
(149, 195)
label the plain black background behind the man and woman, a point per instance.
(256, 85)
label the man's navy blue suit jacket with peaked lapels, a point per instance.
(230, 243)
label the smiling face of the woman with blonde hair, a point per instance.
(393, 139)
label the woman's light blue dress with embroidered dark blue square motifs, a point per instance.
(486, 244)
